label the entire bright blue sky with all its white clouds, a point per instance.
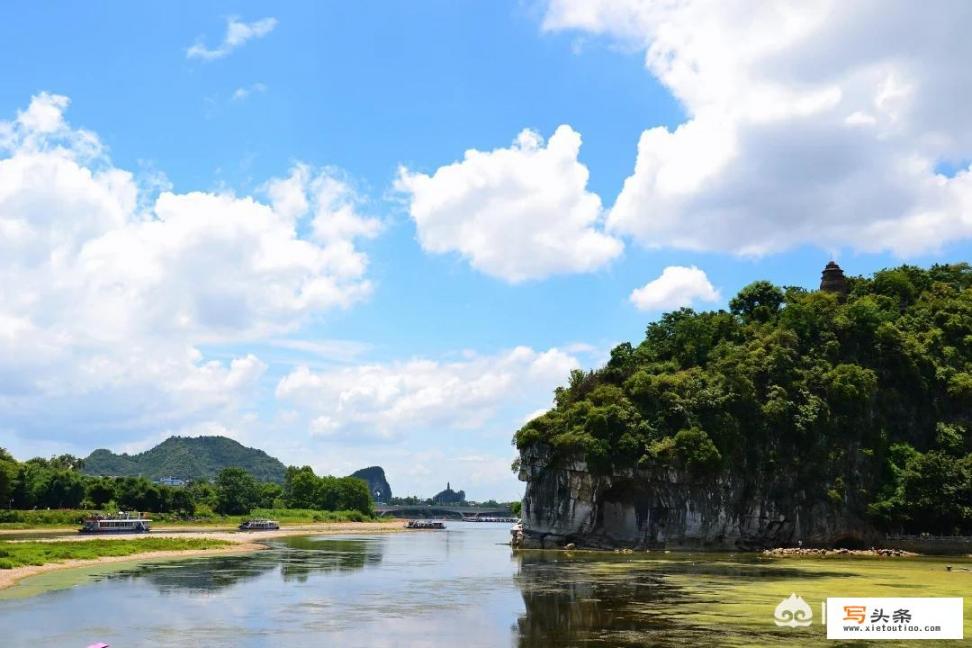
(753, 164)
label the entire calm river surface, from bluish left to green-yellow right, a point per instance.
(459, 587)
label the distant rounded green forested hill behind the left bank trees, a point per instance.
(187, 458)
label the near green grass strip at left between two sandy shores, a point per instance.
(20, 554)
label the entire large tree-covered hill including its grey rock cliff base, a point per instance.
(836, 417)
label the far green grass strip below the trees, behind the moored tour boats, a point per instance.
(14, 520)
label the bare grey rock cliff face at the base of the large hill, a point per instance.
(567, 503)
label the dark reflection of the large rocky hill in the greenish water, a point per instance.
(597, 599)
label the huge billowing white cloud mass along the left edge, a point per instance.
(108, 287)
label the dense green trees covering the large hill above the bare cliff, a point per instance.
(861, 402)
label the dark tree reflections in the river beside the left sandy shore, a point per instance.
(294, 559)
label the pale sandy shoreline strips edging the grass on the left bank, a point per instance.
(242, 542)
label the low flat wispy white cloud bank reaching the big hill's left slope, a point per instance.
(386, 401)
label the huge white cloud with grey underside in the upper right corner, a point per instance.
(806, 123)
